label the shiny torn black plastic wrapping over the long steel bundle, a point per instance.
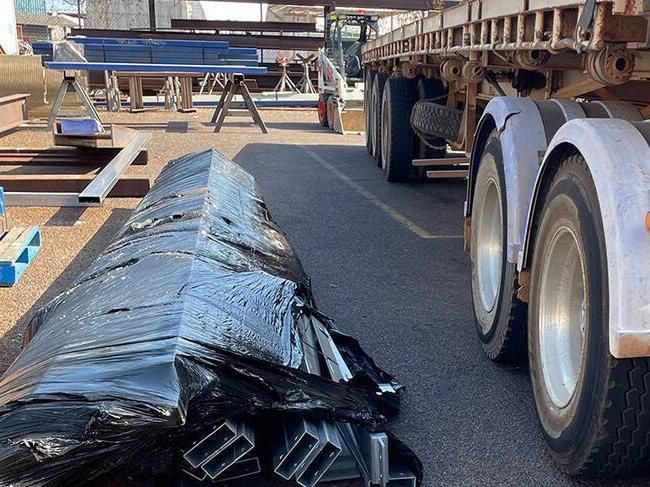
(188, 317)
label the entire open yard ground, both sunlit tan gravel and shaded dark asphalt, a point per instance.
(386, 262)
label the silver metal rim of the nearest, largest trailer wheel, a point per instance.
(562, 316)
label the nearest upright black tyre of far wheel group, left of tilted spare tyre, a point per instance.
(396, 132)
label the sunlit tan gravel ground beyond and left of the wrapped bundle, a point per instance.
(73, 237)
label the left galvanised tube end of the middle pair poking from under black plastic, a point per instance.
(296, 441)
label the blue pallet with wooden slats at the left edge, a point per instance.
(17, 249)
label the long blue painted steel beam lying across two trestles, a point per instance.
(159, 68)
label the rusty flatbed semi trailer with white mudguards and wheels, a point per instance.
(541, 106)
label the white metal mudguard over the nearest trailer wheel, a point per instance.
(623, 190)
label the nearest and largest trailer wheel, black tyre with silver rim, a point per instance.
(593, 408)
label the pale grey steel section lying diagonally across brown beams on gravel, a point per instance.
(102, 184)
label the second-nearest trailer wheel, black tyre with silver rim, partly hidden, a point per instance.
(500, 316)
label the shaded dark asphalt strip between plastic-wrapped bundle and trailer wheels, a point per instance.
(387, 262)
